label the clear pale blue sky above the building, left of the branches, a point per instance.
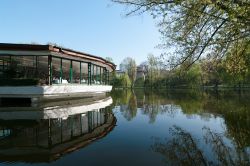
(97, 27)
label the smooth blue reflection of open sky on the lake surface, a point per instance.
(130, 142)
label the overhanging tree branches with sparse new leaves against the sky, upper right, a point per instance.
(197, 28)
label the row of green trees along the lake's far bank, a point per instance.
(233, 70)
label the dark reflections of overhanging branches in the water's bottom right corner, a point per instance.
(183, 149)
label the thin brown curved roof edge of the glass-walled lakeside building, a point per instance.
(53, 48)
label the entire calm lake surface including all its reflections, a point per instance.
(131, 128)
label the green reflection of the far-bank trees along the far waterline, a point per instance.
(232, 107)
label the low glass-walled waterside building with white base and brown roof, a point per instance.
(28, 70)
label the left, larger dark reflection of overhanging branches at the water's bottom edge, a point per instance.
(180, 150)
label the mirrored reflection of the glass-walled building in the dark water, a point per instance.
(60, 131)
